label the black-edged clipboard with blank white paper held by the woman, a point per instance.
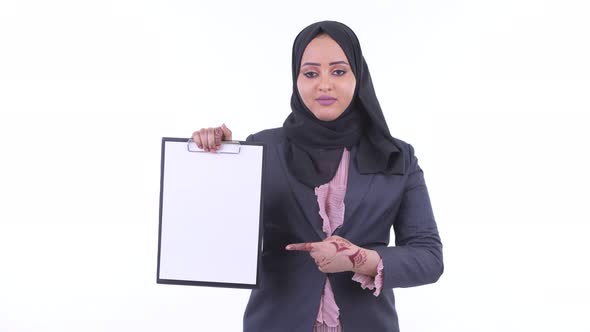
(210, 224)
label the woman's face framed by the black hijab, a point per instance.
(326, 82)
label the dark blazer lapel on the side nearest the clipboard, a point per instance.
(304, 195)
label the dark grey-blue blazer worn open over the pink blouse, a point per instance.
(290, 282)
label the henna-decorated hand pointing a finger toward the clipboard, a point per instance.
(337, 254)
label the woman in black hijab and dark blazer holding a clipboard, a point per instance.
(336, 181)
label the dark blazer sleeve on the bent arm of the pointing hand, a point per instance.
(417, 256)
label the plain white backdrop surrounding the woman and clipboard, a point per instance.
(493, 95)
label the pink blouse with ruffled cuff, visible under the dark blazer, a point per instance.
(331, 202)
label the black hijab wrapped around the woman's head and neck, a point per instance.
(314, 147)
